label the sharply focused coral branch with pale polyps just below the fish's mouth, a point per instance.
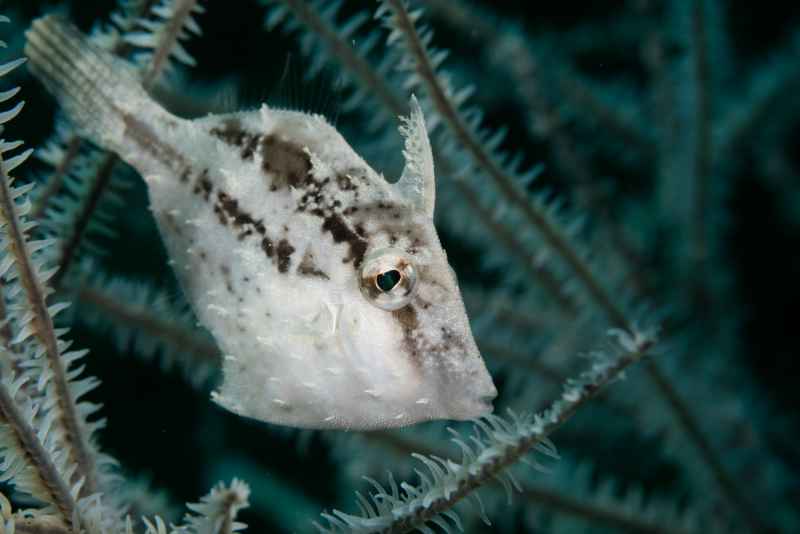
(503, 443)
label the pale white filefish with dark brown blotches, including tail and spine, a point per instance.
(324, 285)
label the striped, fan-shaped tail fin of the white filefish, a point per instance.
(96, 89)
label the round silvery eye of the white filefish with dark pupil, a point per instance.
(388, 280)
